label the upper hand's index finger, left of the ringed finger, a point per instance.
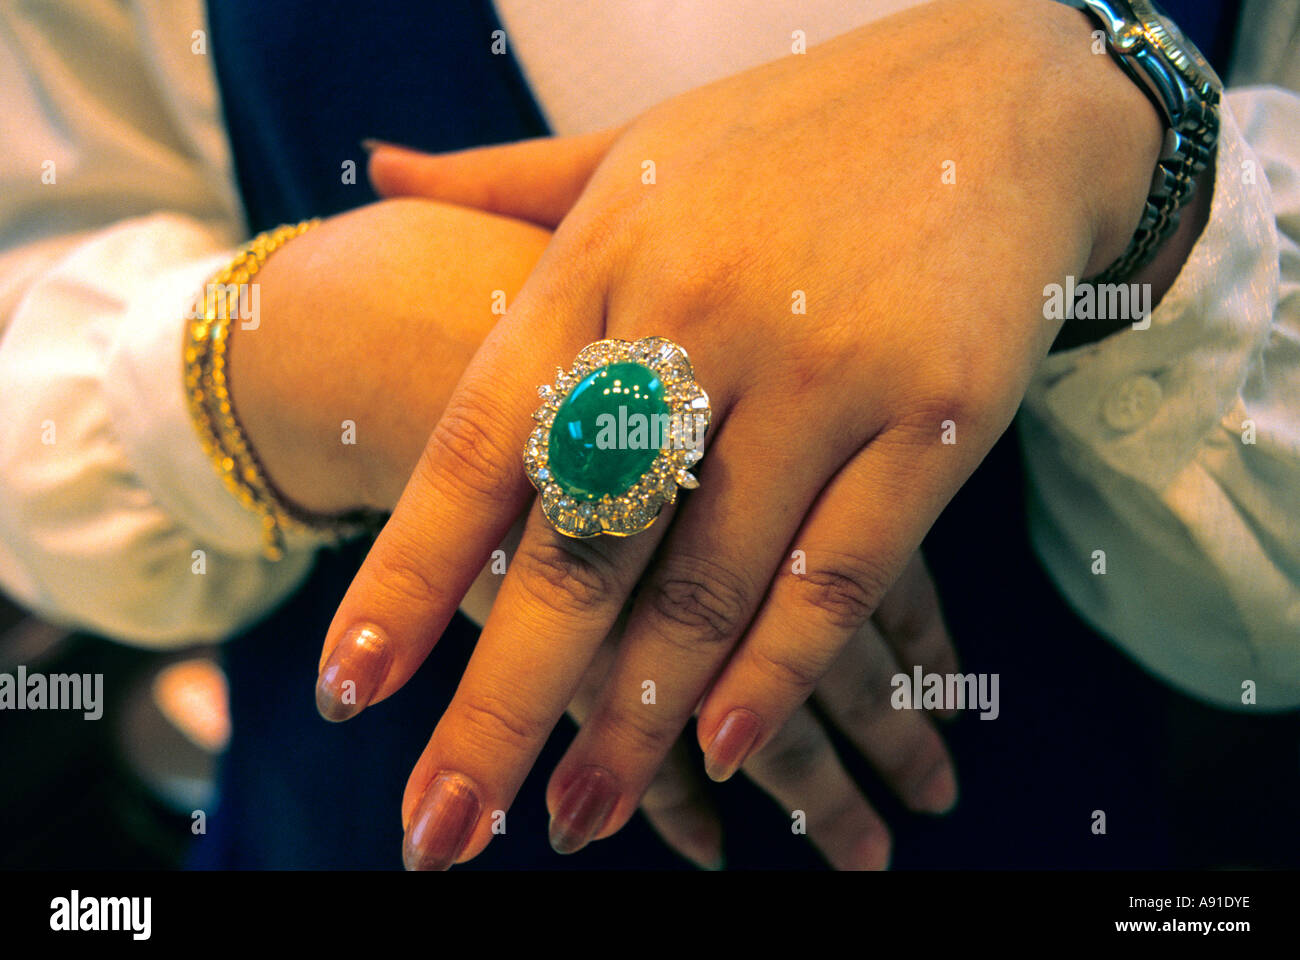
(467, 490)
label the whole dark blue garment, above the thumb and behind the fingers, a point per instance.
(1082, 729)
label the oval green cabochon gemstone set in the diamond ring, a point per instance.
(609, 431)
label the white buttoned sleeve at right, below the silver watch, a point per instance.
(1176, 451)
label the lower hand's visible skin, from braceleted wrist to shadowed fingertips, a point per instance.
(422, 299)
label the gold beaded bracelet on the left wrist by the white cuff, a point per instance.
(227, 296)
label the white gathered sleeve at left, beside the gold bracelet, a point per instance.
(116, 204)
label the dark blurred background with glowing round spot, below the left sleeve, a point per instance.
(120, 792)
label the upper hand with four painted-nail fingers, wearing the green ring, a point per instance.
(818, 179)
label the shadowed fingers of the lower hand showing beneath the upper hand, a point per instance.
(799, 767)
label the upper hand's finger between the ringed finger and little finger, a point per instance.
(692, 607)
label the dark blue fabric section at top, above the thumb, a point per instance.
(305, 81)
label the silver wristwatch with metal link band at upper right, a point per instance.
(1186, 92)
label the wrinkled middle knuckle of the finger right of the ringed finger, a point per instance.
(700, 603)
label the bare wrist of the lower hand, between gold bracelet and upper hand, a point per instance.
(346, 312)
